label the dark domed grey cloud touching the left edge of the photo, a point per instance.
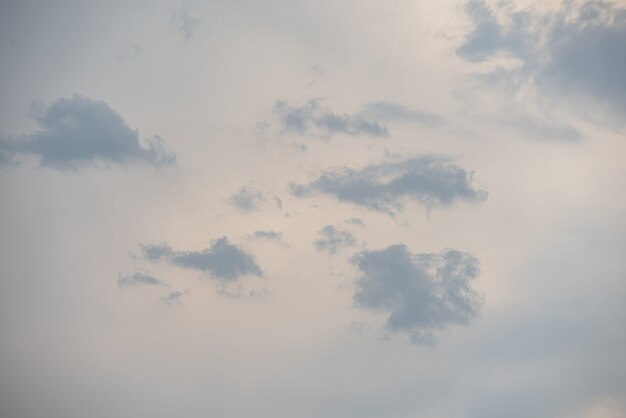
(77, 131)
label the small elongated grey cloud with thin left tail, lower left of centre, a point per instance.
(222, 261)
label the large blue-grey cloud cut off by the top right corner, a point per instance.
(576, 54)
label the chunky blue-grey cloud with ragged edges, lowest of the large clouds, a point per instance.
(422, 293)
